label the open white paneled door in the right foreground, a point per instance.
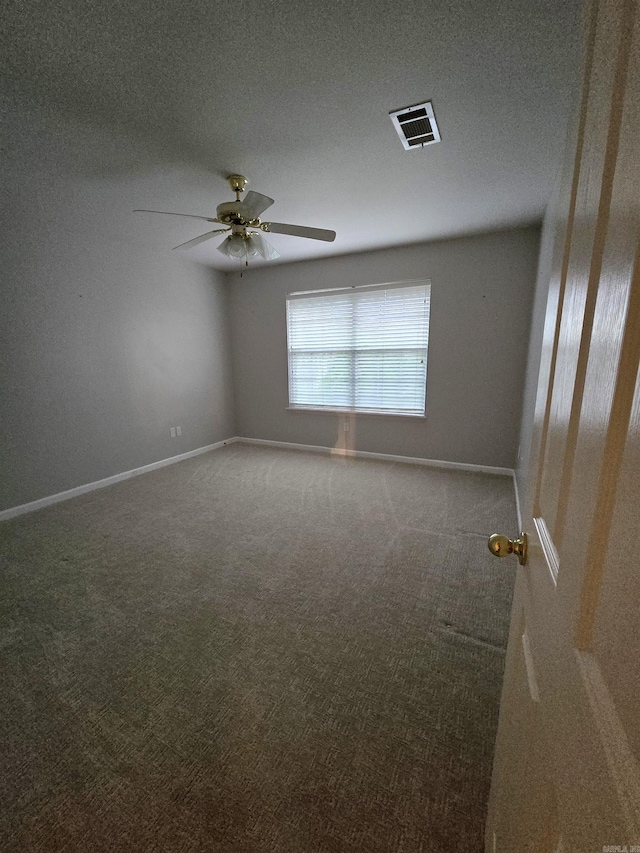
(566, 770)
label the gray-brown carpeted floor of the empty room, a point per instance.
(255, 651)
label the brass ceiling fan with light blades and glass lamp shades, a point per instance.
(244, 227)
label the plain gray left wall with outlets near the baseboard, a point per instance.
(105, 341)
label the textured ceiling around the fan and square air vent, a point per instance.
(296, 97)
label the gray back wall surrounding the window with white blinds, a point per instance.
(482, 291)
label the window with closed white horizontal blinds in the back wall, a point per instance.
(361, 349)
